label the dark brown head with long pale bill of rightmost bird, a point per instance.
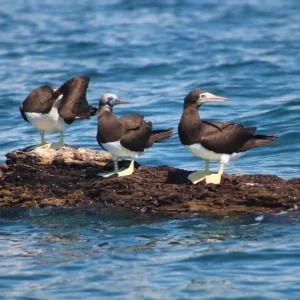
(199, 97)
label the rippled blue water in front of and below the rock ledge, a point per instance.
(89, 252)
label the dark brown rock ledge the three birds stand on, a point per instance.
(67, 177)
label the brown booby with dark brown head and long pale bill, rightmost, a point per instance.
(221, 141)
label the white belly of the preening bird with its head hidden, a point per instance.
(51, 122)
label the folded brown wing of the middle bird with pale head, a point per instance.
(137, 132)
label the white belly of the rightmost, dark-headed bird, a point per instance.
(200, 151)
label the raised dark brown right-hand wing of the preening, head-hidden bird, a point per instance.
(73, 104)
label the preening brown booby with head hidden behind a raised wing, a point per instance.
(53, 110)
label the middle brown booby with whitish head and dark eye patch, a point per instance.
(127, 136)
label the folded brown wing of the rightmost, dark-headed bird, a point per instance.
(224, 137)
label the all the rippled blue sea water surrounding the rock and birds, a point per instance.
(152, 53)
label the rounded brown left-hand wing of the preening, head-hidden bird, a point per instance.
(39, 100)
